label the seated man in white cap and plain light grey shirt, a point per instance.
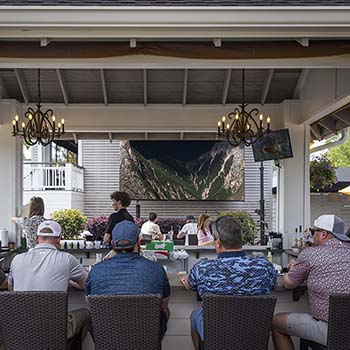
(45, 268)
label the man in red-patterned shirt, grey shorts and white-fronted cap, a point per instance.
(326, 268)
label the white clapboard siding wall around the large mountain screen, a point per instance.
(101, 160)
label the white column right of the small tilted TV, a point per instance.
(294, 184)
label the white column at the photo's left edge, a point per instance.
(10, 169)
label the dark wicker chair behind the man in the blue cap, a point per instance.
(125, 322)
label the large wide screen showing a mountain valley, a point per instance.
(182, 170)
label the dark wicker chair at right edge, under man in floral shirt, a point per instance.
(338, 326)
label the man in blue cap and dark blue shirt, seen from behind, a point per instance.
(129, 273)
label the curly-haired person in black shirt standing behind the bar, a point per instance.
(120, 201)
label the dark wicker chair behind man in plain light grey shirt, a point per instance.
(34, 320)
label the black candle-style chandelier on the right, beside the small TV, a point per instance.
(240, 126)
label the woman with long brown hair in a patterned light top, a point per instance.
(30, 224)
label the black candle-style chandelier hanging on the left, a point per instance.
(40, 127)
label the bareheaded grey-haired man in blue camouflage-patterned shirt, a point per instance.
(232, 273)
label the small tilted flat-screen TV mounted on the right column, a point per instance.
(272, 146)
